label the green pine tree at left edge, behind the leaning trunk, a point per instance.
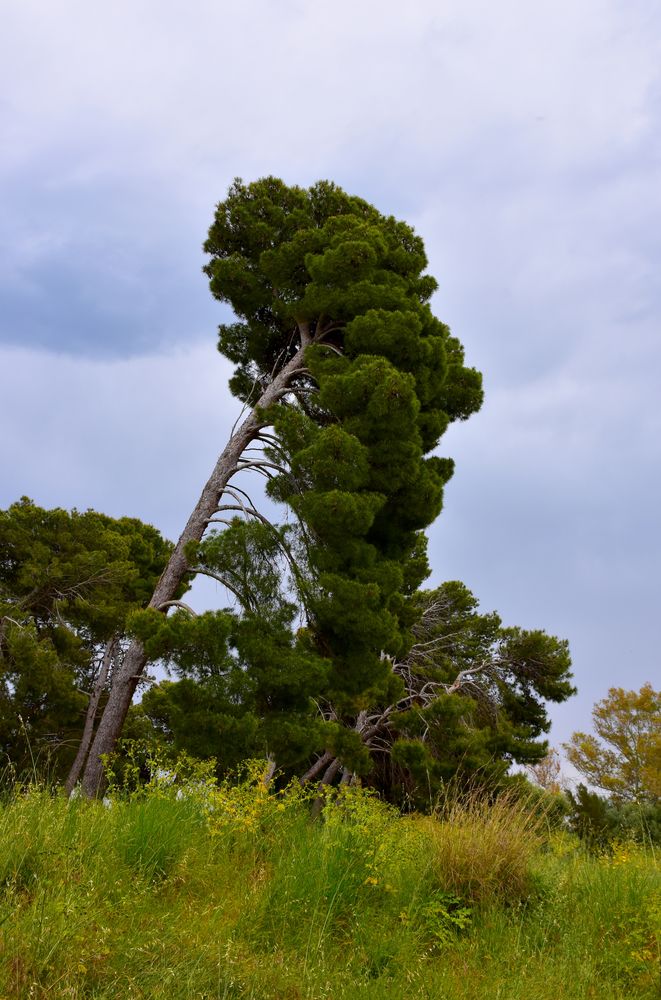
(68, 580)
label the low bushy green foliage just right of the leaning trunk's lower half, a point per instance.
(245, 682)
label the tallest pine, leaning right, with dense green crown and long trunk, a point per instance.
(337, 351)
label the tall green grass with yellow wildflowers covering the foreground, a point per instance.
(233, 893)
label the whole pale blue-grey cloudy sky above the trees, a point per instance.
(523, 142)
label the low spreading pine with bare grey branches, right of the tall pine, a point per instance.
(472, 700)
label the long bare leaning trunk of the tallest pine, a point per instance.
(126, 678)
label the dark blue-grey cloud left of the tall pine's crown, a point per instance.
(100, 270)
